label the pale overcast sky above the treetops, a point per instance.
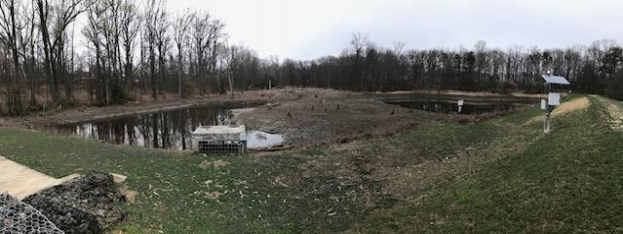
(308, 29)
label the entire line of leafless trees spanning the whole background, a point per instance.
(139, 48)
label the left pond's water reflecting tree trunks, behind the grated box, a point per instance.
(167, 129)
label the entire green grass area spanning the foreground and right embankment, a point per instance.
(512, 178)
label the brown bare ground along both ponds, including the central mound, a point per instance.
(305, 117)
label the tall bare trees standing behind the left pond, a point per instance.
(131, 49)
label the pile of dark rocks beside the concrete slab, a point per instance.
(83, 205)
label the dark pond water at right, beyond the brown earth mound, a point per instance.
(451, 106)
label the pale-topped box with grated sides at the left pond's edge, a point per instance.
(220, 140)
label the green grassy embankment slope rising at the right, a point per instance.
(568, 181)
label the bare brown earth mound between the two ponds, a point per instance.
(319, 116)
